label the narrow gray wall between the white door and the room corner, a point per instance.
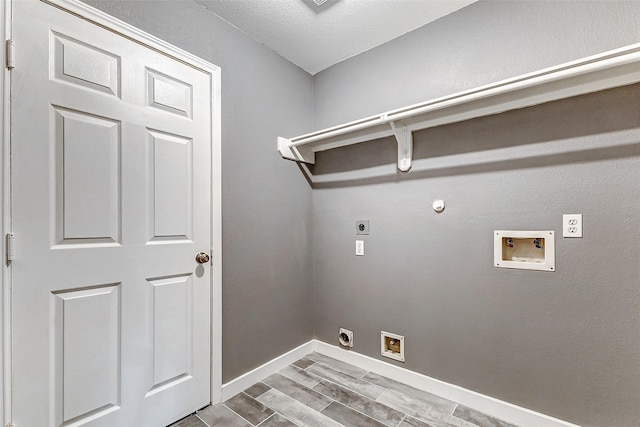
(267, 288)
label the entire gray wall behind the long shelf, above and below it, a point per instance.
(562, 343)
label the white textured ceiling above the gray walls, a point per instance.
(316, 37)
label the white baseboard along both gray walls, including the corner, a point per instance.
(497, 408)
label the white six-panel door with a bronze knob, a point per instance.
(111, 185)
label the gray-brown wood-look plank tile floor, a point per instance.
(318, 391)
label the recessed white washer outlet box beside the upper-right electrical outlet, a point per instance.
(528, 250)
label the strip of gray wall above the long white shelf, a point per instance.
(482, 43)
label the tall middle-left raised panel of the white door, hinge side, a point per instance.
(87, 177)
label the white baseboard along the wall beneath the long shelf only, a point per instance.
(489, 405)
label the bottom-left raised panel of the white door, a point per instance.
(81, 316)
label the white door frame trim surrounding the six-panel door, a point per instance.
(104, 20)
